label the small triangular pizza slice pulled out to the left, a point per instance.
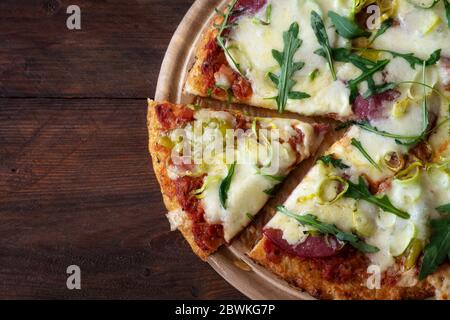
(217, 169)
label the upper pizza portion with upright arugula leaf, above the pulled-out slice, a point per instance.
(318, 57)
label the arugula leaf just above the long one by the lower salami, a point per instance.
(361, 191)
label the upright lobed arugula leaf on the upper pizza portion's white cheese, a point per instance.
(284, 82)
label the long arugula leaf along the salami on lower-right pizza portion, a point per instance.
(325, 228)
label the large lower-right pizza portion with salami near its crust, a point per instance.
(369, 221)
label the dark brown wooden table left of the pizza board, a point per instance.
(76, 183)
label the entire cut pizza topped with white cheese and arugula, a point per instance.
(370, 219)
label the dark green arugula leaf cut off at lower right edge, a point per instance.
(436, 252)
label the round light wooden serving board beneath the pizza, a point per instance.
(231, 262)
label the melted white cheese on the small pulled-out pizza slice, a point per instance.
(258, 162)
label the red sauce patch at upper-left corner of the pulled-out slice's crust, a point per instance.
(171, 118)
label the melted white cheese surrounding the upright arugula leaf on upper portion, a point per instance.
(255, 42)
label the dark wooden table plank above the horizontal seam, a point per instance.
(117, 53)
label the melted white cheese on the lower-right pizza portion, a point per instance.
(388, 232)
